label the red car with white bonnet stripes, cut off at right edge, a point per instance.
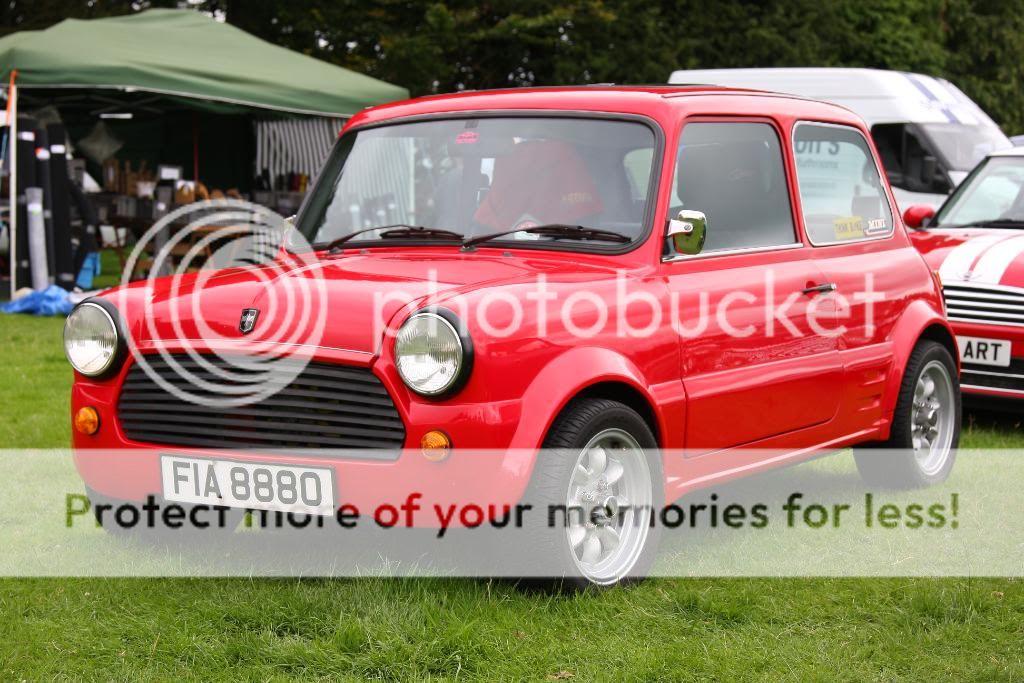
(976, 243)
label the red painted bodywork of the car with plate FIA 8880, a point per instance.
(715, 397)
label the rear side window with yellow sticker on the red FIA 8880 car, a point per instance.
(841, 192)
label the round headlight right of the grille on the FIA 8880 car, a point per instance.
(431, 355)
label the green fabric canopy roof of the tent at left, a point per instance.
(184, 54)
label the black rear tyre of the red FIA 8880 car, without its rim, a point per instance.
(892, 464)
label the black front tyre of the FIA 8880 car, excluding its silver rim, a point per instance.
(573, 431)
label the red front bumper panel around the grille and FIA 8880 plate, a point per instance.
(489, 465)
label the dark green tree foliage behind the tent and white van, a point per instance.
(434, 47)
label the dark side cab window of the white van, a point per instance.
(910, 162)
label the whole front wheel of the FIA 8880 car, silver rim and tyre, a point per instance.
(601, 465)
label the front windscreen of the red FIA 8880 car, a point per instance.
(478, 177)
